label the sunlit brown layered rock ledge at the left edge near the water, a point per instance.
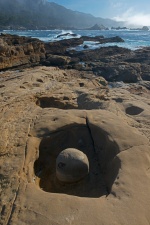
(18, 51)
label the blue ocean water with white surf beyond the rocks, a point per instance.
(134, 39)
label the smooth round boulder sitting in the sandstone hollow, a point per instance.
(72, 165)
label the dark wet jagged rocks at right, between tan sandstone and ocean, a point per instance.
(115, 63)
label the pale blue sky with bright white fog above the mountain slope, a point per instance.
(135, 12)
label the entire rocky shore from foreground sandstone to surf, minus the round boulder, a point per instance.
(96, 101)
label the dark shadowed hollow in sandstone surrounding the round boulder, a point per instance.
(103, 163)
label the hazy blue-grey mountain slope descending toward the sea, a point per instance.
(41, 14)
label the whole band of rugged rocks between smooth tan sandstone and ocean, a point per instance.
(113, 63)
